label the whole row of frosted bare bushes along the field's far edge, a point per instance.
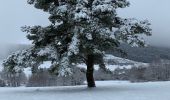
(158, 70)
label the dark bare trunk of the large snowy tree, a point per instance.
(90, 70)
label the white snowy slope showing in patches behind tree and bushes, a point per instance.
(112, 63)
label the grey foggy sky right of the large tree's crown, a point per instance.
(157, 12)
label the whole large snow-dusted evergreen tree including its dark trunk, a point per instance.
(80, 32)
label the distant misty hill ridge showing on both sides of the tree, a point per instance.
(145, 55)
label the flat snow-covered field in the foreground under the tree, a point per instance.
(108, 90)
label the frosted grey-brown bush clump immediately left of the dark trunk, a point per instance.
(44, 78)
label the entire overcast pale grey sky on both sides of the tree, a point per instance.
(17, 13)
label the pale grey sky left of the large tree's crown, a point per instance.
(13, 15)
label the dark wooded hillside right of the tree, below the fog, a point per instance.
(146, 55)
